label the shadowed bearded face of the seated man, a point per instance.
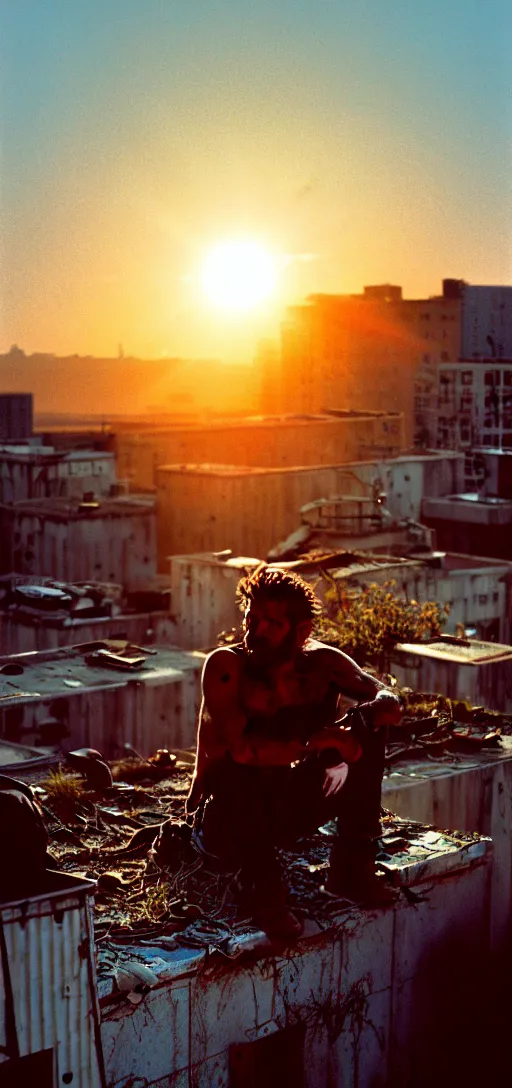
(268, 633)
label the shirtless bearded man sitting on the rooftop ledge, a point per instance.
(274, 762)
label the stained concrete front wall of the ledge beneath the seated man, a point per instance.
(380, 1000)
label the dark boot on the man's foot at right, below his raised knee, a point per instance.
(353, 875)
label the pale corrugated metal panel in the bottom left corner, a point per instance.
(51, 958)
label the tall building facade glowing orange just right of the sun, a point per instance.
(371, 351)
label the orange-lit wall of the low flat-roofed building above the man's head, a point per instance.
(213, 508)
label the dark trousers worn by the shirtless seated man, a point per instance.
(254, 810)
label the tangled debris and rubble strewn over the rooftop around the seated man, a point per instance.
(160, 907)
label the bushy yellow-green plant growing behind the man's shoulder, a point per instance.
(368, 623)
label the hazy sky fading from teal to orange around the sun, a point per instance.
(363, 142)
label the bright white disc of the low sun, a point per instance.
(239, 276)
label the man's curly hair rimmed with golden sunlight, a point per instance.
(271, 584)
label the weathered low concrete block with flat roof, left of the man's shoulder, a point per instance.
(59, 698)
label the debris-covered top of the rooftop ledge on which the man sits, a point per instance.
(195, 908)
